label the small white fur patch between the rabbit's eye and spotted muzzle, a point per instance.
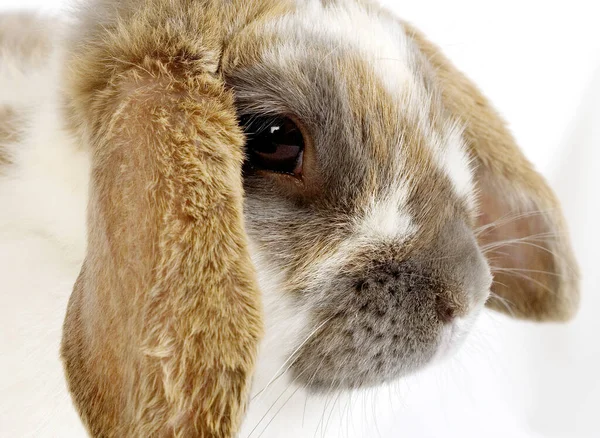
(387, 218)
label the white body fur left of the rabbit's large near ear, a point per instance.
(42, 243)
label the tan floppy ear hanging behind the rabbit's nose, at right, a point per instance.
(521, 227)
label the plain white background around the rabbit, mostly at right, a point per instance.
(539, 62)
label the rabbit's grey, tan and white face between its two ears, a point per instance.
(359, 196)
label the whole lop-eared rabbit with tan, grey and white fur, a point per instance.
(300, 195)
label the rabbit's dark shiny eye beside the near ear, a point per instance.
(274, 144)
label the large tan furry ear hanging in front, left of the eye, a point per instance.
(164, 321)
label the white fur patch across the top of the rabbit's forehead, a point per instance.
(378, 39)
